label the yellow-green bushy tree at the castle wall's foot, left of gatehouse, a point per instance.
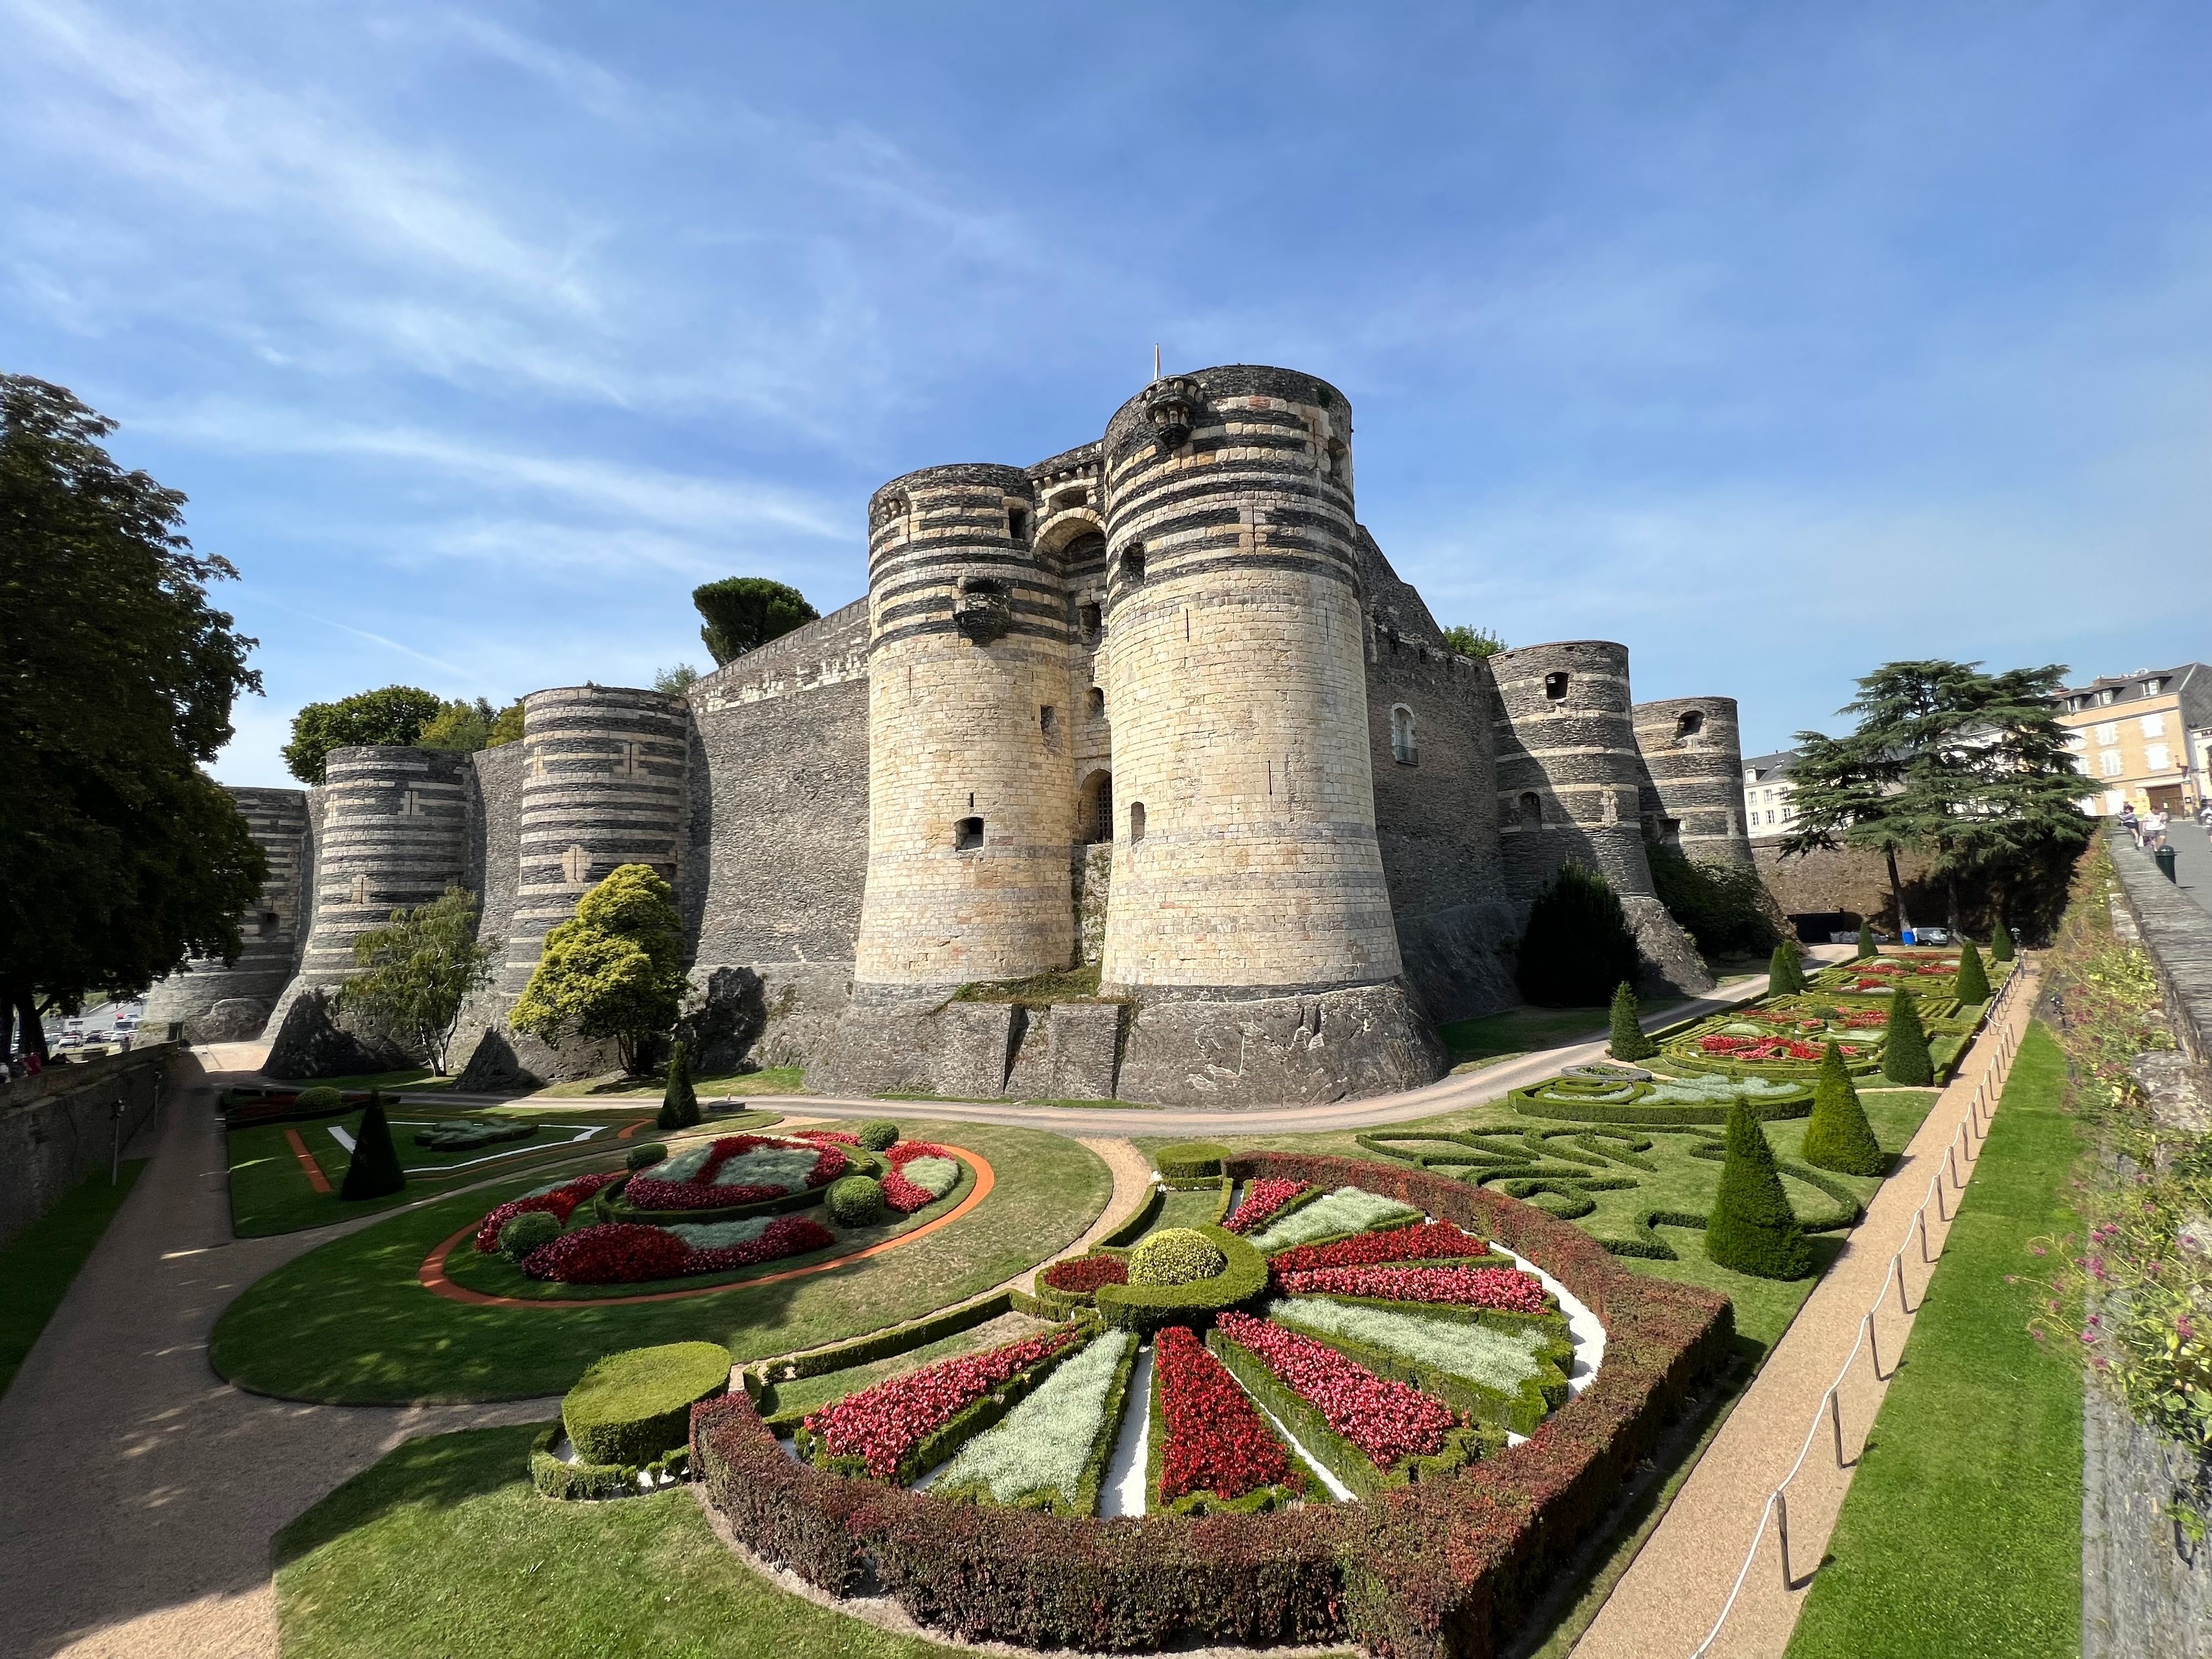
(614, 970)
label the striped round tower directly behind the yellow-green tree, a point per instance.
(603, 784)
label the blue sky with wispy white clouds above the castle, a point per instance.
(1773, 342)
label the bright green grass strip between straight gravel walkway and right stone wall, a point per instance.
(1963, 1530)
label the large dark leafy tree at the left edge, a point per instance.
(118, 855)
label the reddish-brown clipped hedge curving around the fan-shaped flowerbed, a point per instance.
(1441, 1569)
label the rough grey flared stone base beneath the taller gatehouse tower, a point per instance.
(1297, 1050)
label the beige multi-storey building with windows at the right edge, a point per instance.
(2145, 740)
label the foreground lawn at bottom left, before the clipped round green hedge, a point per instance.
(446, 1550)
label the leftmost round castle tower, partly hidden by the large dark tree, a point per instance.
(231, 1003)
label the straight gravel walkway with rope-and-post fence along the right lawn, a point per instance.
(1678, 1585)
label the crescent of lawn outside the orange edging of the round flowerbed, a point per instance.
(351, 1324)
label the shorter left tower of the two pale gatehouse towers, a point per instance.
(970, 762)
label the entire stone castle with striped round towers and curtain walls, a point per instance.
(1156, 705)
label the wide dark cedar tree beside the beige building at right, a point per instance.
(1963, 766)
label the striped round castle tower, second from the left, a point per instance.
(395, 835)
